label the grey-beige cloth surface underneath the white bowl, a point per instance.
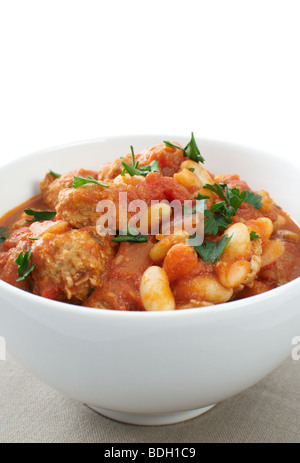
(33, 412)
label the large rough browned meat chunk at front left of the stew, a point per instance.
(67, 265)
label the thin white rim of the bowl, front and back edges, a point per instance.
(91, 311)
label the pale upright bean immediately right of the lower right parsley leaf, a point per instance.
(239, 245)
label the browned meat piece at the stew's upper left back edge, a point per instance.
(51, 186)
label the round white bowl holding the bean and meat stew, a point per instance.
(141, 367)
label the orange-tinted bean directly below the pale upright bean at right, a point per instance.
(233, 275)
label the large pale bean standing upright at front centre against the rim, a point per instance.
(155, 290)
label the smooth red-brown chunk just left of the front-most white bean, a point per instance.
(120, 287)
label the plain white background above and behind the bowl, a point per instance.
(82, 69)
